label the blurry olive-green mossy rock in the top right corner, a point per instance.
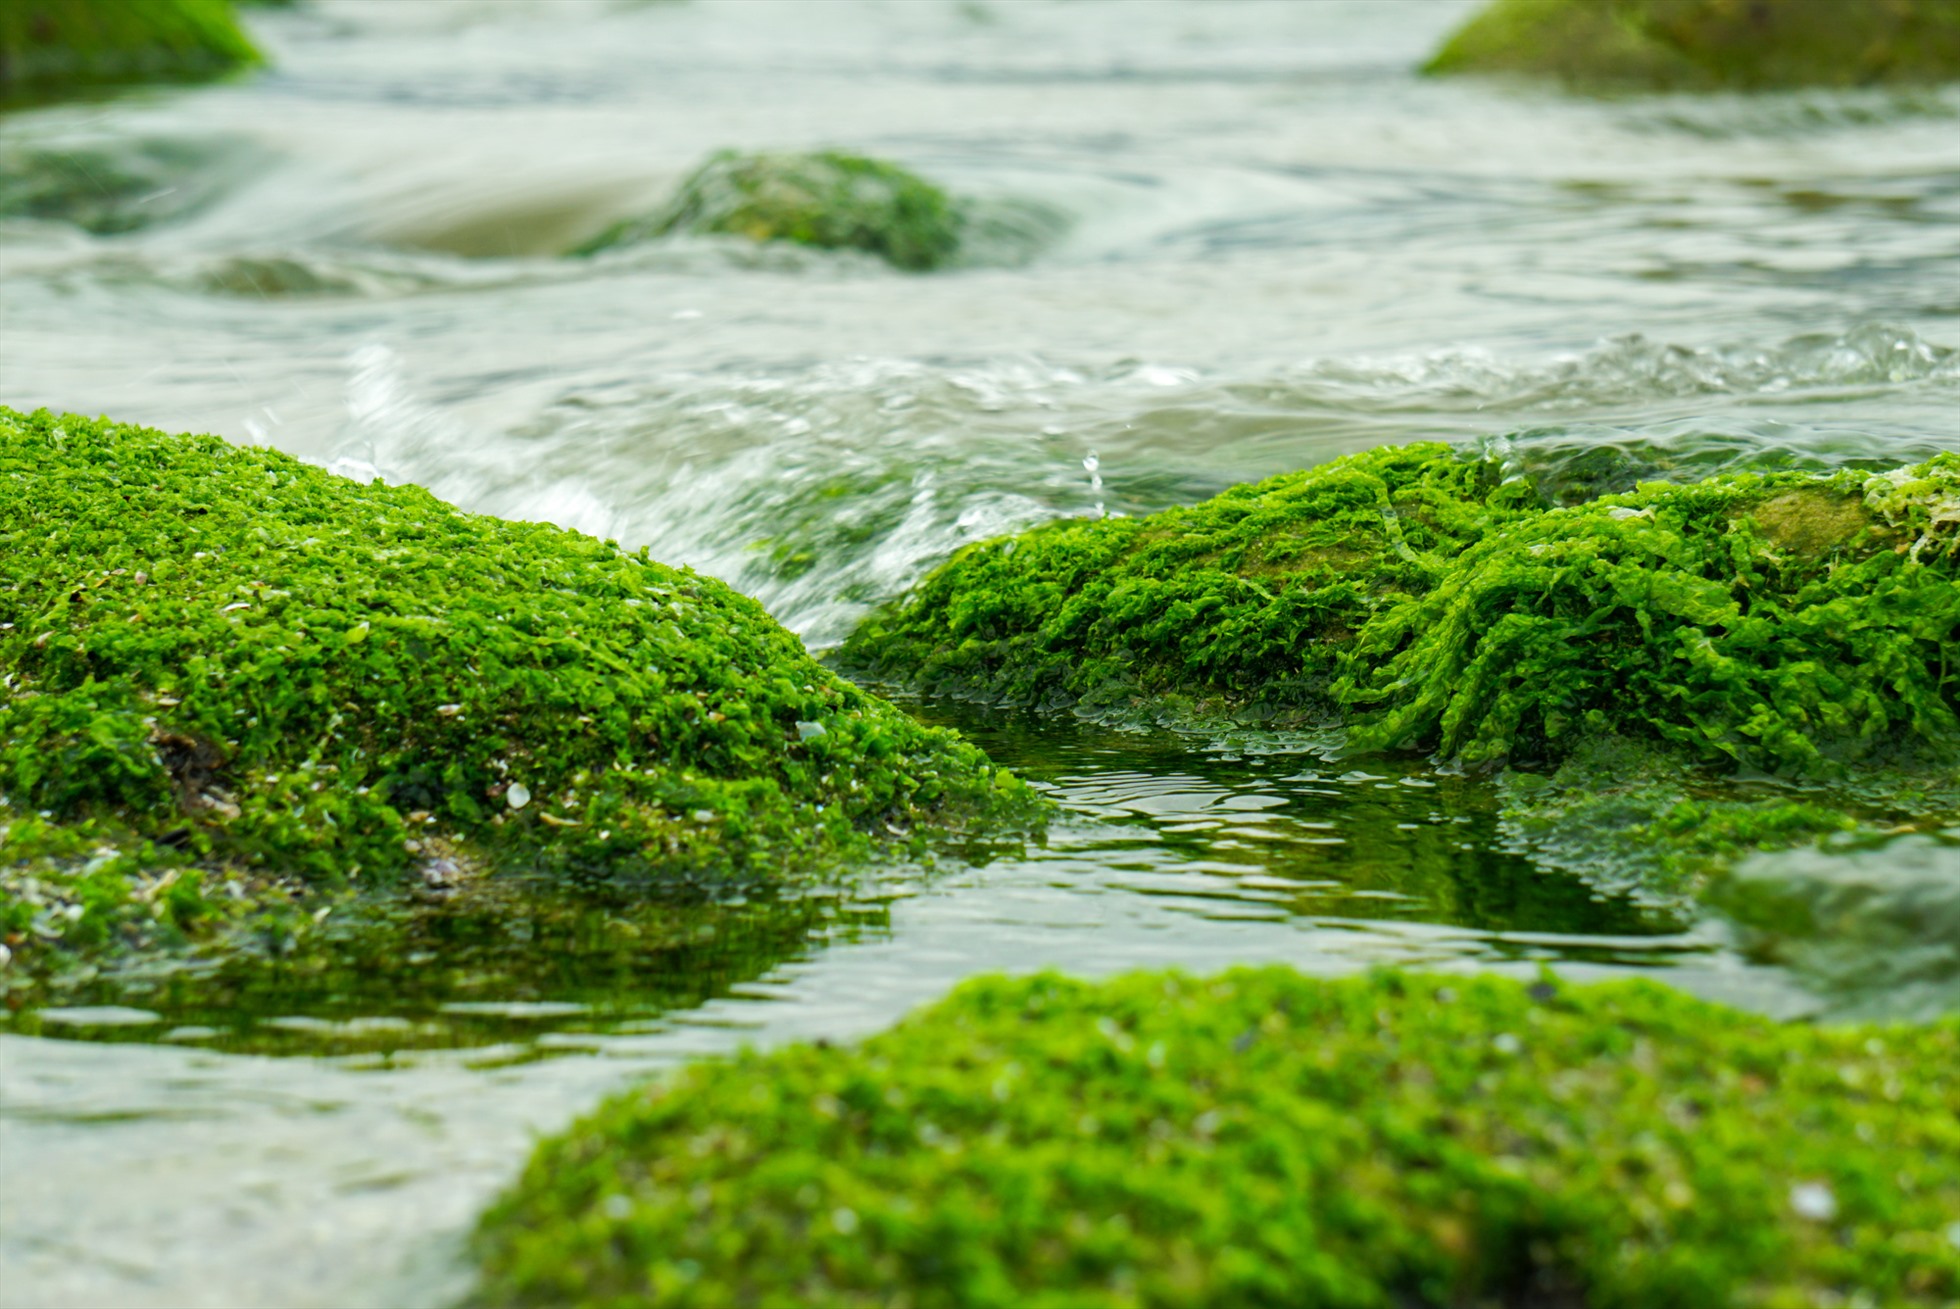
(1710, 44)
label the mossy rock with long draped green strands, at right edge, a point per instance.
(1785, 622)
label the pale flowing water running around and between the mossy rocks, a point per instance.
(1222, 240)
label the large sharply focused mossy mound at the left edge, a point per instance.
(228, 669)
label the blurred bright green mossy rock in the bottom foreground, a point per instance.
(1267, 1139)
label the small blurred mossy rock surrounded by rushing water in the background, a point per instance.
(828, 201)
